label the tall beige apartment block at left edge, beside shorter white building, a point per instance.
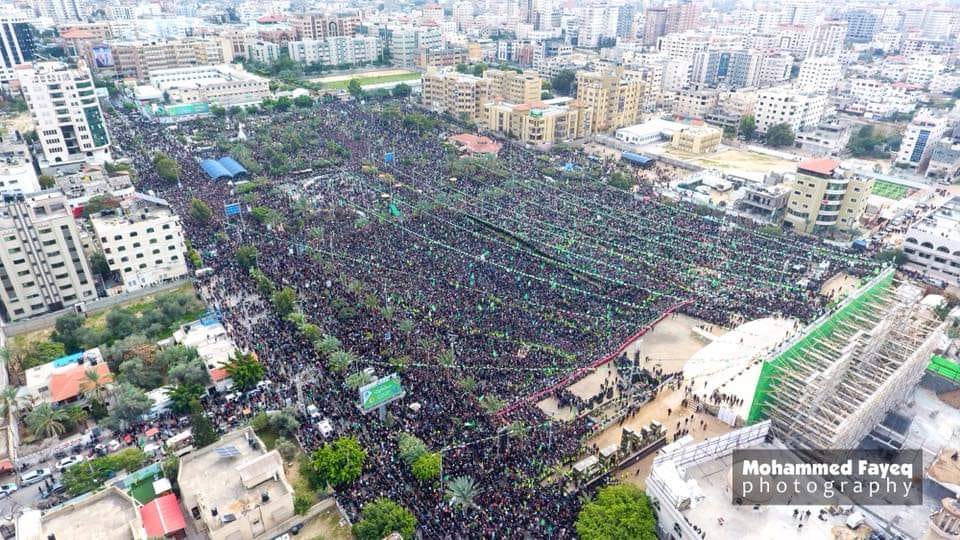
(43, 266)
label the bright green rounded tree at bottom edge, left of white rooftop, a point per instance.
(618, 511)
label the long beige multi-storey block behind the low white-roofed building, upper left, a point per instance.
(138, 59)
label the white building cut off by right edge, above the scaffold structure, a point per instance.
(932, 244)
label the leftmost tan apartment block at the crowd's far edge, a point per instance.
(457, 94)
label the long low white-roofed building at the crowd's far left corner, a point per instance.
(222, 85)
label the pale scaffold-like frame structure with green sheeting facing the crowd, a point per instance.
(829, 386)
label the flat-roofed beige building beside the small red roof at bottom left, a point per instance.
(235, 489)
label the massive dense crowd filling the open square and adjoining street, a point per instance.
(480, 280)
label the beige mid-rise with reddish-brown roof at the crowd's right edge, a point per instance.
(825, 198)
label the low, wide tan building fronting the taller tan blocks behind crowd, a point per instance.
(538, 123)
